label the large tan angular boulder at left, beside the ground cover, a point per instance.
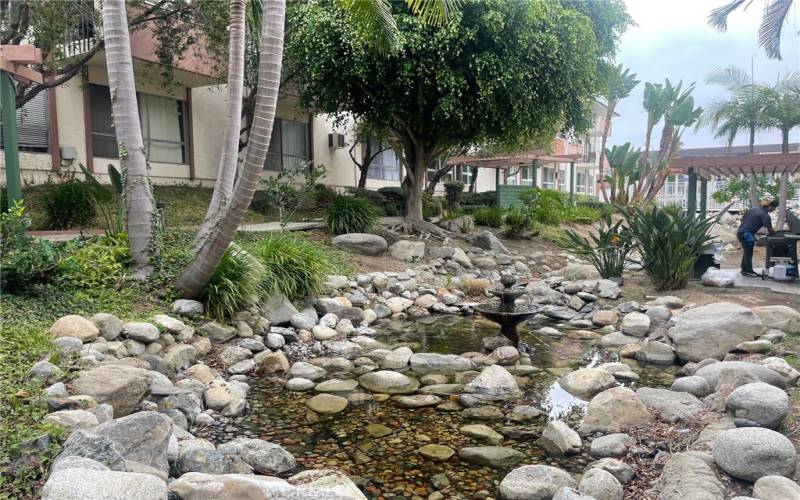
(123, 387)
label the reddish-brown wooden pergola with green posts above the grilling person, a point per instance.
(721, 166)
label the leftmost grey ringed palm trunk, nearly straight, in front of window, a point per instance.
(138, 196)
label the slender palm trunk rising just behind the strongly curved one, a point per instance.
(229, 157)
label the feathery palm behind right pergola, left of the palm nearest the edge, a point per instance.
(743, 111)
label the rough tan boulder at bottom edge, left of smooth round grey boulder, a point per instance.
(687, 476)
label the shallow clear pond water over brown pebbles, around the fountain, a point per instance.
(388, 466)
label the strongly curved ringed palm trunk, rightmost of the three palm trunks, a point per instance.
(210, 251)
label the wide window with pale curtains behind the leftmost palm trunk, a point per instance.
(163, 123)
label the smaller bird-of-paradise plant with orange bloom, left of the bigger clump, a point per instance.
(607, 251)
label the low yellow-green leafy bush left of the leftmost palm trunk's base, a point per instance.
(96, 262)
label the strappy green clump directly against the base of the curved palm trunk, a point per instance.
(237, 282)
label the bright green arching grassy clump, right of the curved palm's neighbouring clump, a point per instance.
(294, 266)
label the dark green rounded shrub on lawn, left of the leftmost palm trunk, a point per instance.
(69, 205)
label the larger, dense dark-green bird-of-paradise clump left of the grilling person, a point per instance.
(669, 241)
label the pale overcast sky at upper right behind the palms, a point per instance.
(673, 40)
